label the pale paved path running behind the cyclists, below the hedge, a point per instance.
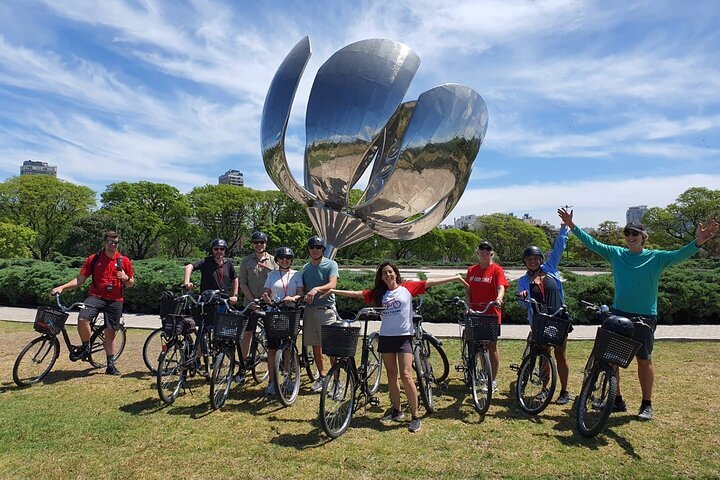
(445, 330)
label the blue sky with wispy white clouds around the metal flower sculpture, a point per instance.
(597, 104)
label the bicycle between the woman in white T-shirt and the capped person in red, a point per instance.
(423, 360)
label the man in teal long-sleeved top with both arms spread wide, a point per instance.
(636, 274)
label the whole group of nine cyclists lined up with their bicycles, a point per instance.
(636, 273)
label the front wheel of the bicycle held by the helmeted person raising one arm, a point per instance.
(536, 382)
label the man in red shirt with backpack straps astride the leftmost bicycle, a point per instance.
(111, 273)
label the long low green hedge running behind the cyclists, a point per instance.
(687, 294)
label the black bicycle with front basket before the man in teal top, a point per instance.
(610, 351)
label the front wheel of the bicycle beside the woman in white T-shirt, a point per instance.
(337, 399)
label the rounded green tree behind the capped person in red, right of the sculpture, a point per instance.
(509, 235)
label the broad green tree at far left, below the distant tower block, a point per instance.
(46, 205)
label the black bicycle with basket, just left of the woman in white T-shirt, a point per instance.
(347, 386)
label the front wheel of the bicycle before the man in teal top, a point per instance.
(596, 400)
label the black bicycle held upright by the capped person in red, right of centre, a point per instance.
(477, 330)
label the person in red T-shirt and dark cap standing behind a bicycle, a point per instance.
(487, 284)
